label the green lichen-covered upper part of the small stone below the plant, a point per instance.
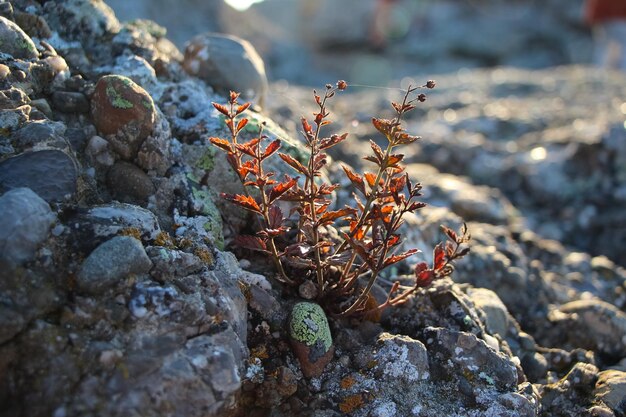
(309, 325)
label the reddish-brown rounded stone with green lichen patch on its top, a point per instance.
(121, 107)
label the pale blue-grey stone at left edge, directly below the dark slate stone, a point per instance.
(25, 222)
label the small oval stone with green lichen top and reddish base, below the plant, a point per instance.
(311, 338)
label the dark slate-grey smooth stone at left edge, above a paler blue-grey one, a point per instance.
(51, 174)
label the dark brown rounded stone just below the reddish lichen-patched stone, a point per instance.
(129, 183)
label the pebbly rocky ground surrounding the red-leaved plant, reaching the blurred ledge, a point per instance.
(120, 296)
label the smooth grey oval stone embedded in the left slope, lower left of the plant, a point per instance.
(111, 262)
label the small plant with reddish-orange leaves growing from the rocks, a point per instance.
(342, 251)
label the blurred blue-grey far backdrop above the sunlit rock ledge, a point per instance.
(374, 41)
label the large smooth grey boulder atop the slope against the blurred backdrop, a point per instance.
(227, 63)
